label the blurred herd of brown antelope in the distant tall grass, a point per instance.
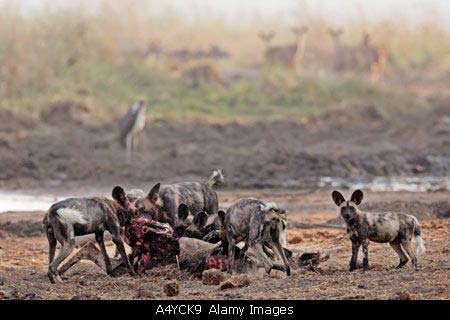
(365, 56)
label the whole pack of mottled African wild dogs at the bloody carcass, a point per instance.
(249, 230)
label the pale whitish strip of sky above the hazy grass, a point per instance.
(337, 11)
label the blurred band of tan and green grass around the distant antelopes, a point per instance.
(94, 57)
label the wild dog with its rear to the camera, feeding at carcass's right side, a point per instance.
(260, 225)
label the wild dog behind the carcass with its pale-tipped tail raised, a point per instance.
(164, 200)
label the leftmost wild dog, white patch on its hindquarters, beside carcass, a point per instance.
(80, 216)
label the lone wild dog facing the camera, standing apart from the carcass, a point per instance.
(395, 228)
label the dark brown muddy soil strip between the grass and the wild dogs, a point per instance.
(64, 150)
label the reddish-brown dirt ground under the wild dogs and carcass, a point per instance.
(24, 258)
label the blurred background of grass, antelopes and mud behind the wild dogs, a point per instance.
(372, 102)
